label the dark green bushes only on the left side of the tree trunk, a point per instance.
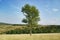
(24, 30)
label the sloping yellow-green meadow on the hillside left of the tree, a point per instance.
(4, 28)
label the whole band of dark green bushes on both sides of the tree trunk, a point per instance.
(25, 30)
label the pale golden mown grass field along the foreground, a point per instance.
(47, 36)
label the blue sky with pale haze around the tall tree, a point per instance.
(10, 11)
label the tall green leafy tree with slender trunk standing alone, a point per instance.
(32, 16)
